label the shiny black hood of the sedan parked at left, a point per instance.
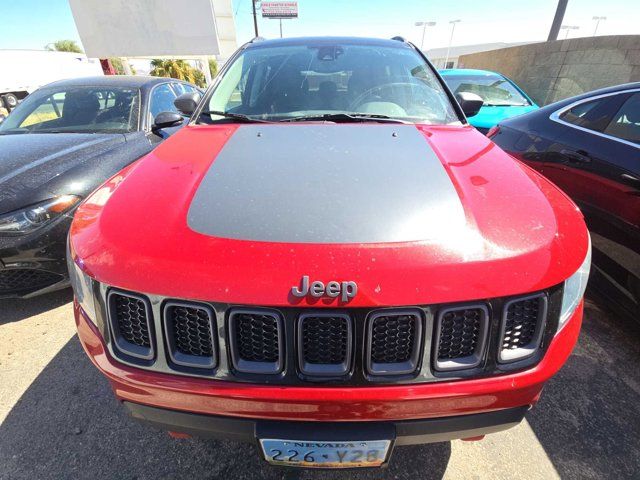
(32, 166)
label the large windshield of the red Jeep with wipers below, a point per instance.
(297, 81)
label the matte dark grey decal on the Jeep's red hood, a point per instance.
(326, 184)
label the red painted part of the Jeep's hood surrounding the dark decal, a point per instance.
(521, 234)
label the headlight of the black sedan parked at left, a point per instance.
(33, 217)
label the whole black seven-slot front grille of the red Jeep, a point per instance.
(291, 345)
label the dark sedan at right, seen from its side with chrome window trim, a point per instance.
(590, 147)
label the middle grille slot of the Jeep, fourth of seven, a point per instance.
(324, 343)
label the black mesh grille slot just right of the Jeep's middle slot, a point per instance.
(392, 338)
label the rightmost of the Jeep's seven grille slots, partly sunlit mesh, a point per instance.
(522, 327)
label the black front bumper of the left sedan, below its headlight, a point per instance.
(34, 264)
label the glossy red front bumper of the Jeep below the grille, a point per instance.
(329, 404)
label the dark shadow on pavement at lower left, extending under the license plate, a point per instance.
(69, 425)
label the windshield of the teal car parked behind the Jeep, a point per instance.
(494, 89)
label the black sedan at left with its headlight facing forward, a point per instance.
(57, 146)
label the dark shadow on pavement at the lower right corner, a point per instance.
(588, 419)
